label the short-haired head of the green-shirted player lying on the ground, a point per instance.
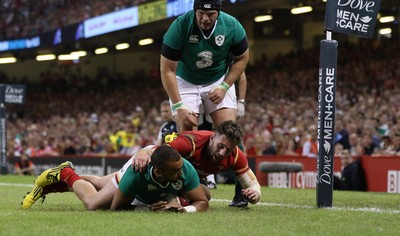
(167, 164)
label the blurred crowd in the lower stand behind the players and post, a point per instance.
(70, 113)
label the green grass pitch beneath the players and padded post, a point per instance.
(280, 212)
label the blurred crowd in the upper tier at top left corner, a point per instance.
(21, 18)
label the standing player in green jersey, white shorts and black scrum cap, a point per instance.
(204, 53)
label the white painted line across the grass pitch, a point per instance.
(364, 209)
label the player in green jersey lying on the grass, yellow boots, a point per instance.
(157, 188)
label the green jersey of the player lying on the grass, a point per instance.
(143, 187)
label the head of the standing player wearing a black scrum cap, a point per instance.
(207, 12)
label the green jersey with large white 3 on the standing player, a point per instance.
(203, 60)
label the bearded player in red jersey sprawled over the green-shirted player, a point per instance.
(212, 152)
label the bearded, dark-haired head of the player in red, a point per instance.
(224, 141)
